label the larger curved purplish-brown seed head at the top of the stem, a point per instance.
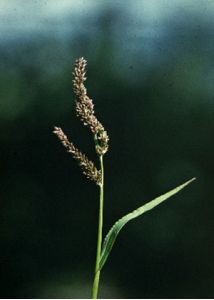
(85, 108)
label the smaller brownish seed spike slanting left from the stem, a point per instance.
(86, 165)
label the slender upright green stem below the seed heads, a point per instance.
(99, 238)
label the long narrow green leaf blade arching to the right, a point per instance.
(113, 232)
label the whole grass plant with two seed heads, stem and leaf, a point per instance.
(85, 111)
